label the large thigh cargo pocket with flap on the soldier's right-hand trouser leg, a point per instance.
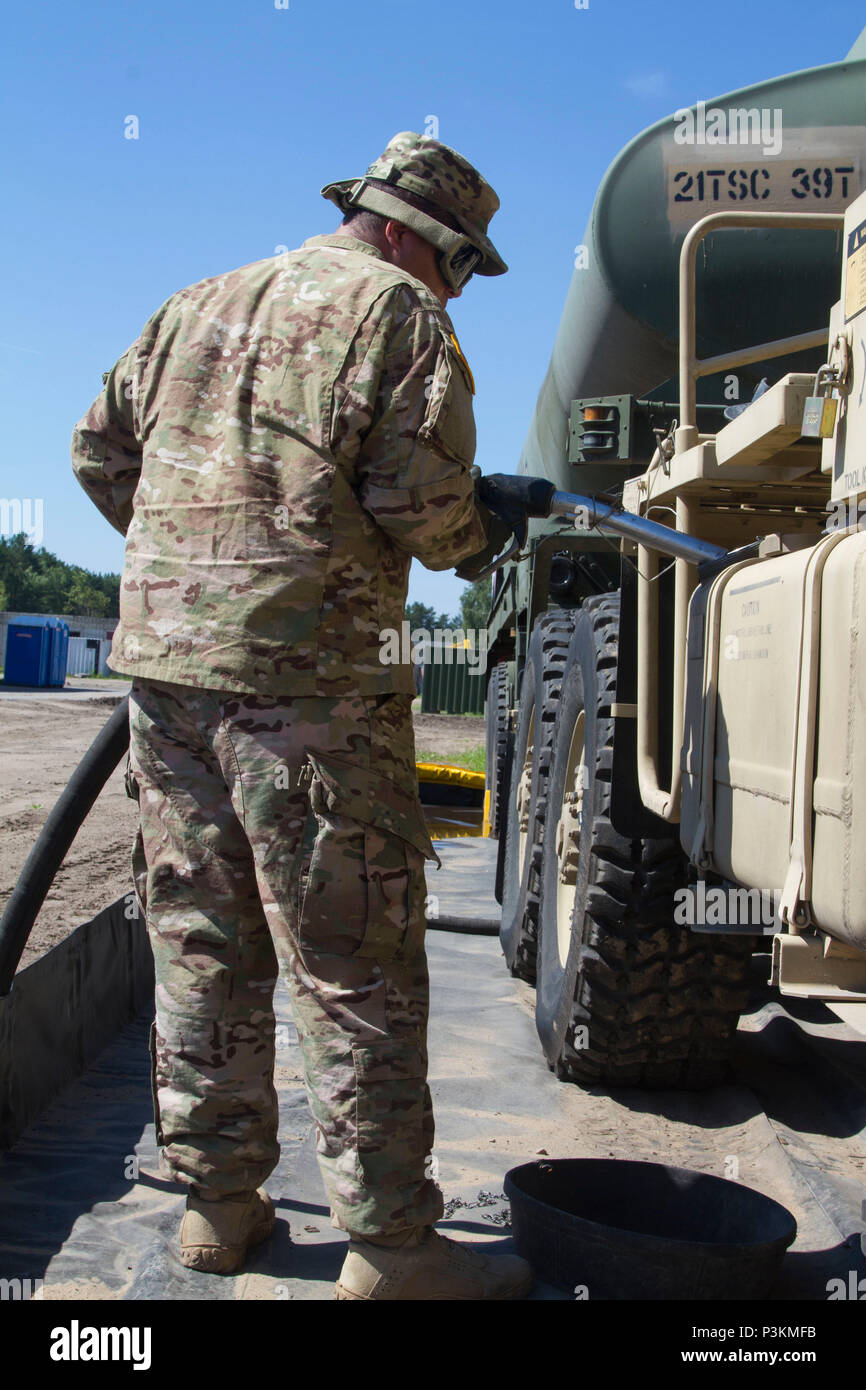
(365, 888)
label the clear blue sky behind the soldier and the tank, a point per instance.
(245, 111)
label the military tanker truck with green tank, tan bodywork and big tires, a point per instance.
(678, 661)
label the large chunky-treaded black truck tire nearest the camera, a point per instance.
(625, 995)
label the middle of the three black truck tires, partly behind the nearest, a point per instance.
(523, 815)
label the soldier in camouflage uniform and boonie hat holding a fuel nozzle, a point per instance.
(277, 447)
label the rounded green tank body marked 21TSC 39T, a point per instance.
(807, 152)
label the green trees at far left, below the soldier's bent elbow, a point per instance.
(35, 582)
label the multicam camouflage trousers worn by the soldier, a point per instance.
(226, 785)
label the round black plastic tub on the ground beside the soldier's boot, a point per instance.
(615, 1229)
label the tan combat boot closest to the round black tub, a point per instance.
(429, 1266)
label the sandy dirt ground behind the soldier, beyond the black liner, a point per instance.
(41, 744)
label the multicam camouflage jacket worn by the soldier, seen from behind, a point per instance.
(276, 447)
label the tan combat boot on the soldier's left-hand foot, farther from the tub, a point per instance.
(218, 1234)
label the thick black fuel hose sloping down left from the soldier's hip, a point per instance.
(58, 835)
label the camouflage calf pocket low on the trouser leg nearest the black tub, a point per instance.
(394, 1122)
